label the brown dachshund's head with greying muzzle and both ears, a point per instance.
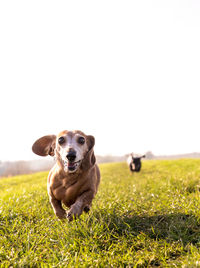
(73, 149)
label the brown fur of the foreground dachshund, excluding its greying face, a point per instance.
(74, 190)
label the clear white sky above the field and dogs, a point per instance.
(127, 72)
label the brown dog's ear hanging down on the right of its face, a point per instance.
(89, 159)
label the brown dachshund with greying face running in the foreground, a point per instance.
(74, 179)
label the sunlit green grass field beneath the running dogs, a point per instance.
(149, 219)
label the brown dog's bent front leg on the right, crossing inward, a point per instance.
(83, 202)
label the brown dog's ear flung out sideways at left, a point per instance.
(45, 145)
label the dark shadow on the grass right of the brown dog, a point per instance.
(170, 227)
